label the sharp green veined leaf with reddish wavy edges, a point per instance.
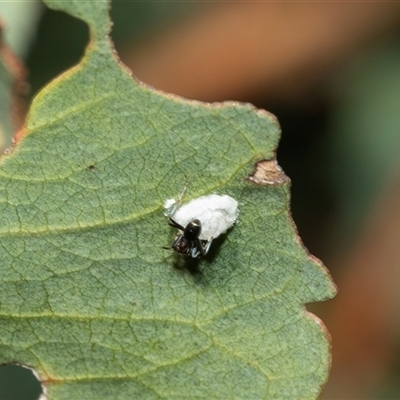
(89, 298)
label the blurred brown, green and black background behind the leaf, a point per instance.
(330, 72)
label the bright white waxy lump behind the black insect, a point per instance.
(216, 213)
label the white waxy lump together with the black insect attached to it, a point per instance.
(200, 221)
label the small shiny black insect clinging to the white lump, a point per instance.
(188, 242)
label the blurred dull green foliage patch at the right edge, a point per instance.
(366, 131)
